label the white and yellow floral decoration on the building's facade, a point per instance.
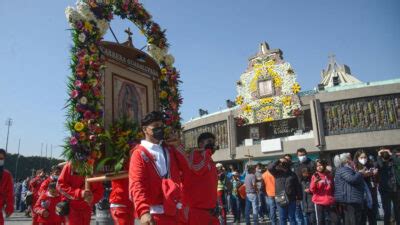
(257, 110)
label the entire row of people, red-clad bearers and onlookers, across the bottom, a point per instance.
(170, 186)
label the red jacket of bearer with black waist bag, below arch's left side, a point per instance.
(71, 185)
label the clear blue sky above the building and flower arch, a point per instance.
(211, 41)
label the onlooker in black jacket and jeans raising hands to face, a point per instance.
(288, 191)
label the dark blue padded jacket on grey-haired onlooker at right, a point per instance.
(349, 186)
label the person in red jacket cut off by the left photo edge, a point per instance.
(6, 189)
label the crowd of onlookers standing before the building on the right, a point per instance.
(310, 191)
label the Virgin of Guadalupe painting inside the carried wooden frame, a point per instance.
(129, 99)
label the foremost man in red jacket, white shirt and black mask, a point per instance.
(154, 176)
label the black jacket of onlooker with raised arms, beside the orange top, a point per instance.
(286, 180)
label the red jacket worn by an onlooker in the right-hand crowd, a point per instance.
(323, 190)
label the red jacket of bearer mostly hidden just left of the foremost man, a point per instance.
(120, 191)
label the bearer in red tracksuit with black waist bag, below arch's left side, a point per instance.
(81, 201)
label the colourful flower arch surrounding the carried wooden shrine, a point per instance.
(89, 21)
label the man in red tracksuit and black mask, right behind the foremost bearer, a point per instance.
(200, 183)
